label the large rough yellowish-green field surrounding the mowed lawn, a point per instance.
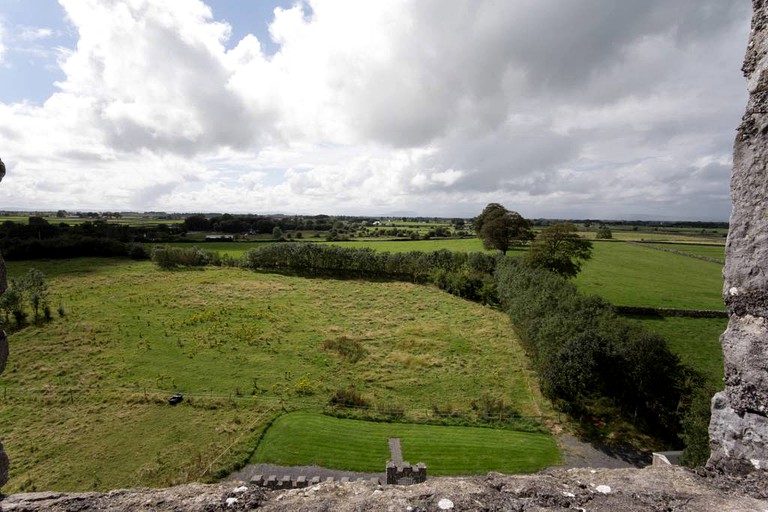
(85, 395)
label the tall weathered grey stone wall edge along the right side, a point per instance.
(739, 428)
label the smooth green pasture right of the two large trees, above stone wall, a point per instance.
(634, 275)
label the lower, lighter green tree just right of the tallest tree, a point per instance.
(559, 248)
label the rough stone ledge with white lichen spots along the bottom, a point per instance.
(651, 488)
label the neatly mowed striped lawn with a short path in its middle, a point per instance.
(307, 439)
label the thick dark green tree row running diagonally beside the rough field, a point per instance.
(585, 354)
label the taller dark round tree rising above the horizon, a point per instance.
(500, 228)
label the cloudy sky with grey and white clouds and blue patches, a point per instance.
(574, 109)
